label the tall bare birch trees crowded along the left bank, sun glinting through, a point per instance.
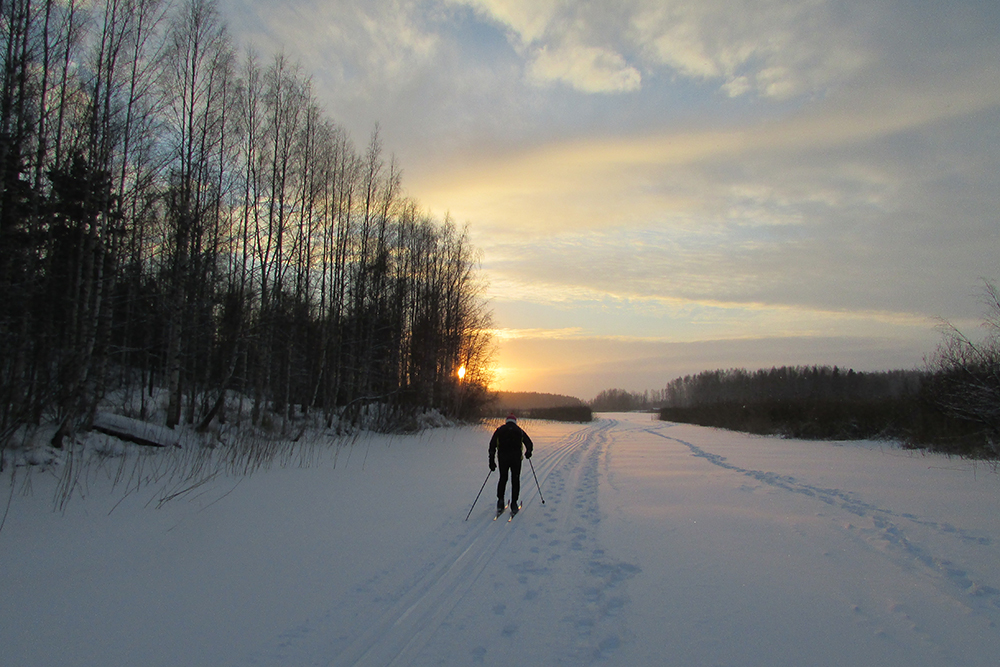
(178, 215)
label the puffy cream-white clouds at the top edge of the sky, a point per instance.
(775, 48)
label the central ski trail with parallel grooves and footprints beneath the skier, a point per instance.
(502, 585)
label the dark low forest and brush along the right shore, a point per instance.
(953, 405)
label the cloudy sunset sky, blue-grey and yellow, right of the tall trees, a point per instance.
(662, 187)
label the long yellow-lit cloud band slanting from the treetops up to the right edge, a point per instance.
(681, 174)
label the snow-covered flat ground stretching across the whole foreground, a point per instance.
(657, 544)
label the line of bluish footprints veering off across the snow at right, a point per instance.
(890, 533)
